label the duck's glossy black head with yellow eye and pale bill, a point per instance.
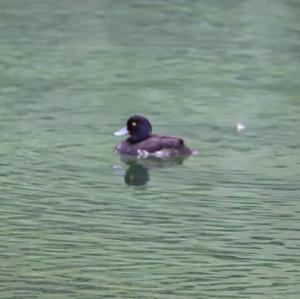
(138, 127)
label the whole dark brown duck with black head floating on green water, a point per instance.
(143, 143)
